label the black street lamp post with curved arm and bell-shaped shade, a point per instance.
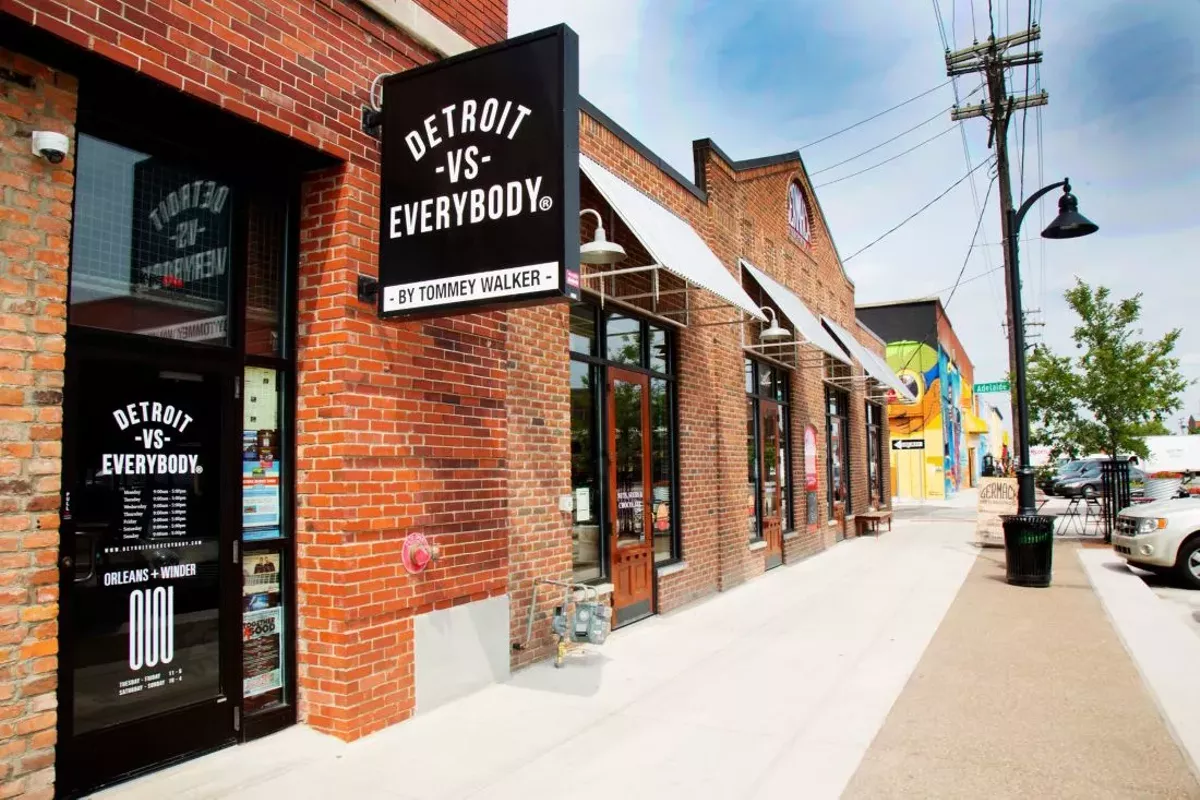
(1069, 225)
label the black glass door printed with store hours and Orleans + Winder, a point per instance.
(147, 560)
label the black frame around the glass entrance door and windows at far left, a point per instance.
(259, 171)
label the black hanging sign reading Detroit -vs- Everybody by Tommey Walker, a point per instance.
(481, 194)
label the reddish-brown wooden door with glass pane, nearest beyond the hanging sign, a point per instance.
(631, 539)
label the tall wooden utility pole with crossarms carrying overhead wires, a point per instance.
(992, 59)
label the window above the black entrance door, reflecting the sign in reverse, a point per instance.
(152, 246)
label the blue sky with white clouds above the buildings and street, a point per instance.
(763, 77)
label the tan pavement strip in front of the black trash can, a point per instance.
(1025, 693)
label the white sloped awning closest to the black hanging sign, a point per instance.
(673, 243)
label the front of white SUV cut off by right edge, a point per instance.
(1162, 537)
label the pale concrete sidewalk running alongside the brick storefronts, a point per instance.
(772, 690)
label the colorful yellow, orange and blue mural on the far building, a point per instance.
(939, 466)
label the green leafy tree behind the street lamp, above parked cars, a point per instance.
(1118, 390)
